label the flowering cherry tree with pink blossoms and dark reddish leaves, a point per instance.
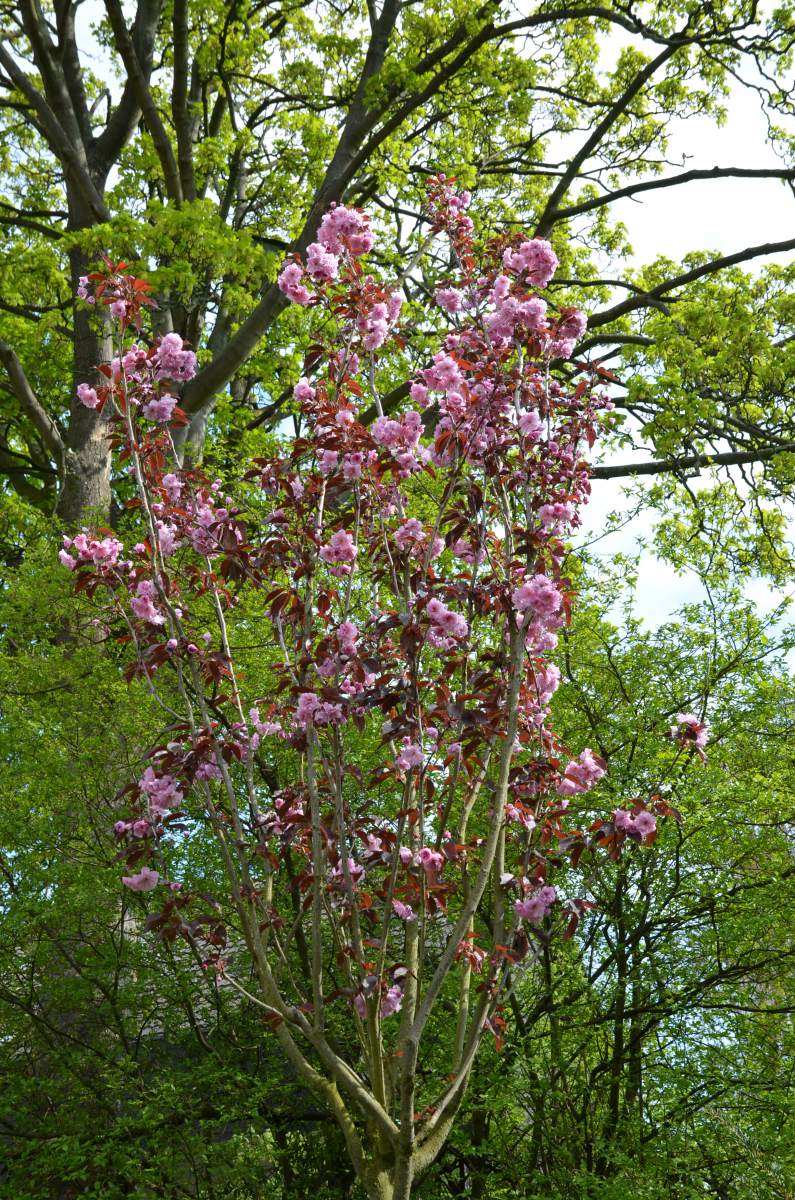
(397, 823)
